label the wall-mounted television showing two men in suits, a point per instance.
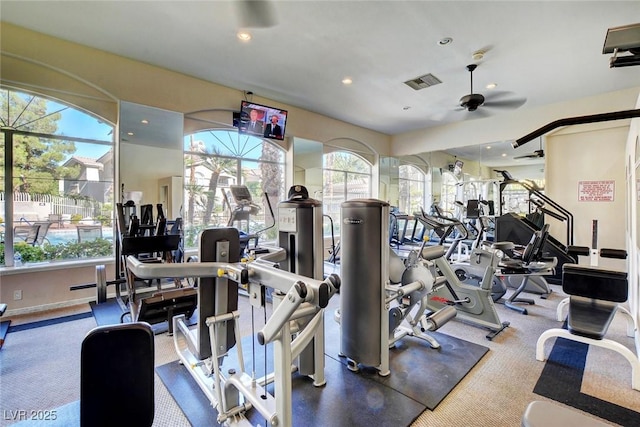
(262, 120)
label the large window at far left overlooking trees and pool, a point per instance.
(59, 173)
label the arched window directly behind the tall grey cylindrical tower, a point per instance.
(345, 176)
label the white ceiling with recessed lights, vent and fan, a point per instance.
(543, 52)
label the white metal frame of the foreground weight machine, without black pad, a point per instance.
(236, 393)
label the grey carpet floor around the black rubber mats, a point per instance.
(39, 369)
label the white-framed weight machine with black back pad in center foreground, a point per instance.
(203, 349)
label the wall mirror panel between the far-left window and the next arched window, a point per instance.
(150, 157)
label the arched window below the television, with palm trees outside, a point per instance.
(216, 159)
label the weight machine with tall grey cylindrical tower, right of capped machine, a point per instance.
(381, 301)
